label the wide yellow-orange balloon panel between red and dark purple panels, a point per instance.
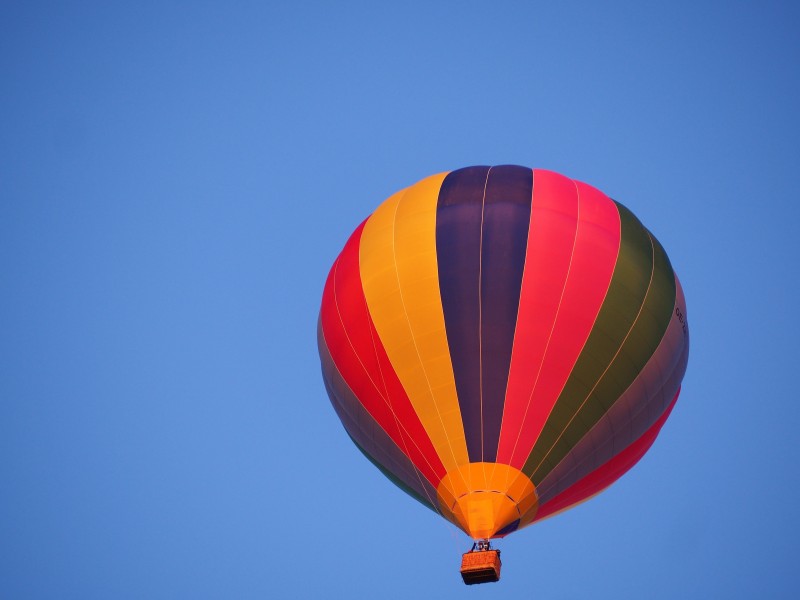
(399, 273)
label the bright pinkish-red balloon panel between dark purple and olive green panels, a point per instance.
(572, 250)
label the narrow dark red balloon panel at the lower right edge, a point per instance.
(602, 477)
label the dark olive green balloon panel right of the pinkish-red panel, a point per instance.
(628, 329)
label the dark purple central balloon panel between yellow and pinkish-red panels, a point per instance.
(481, 240)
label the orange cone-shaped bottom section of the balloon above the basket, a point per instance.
(487, 500)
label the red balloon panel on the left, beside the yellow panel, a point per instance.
(362, 361)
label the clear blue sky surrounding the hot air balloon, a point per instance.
(176, 178)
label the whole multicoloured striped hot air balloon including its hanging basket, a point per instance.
(503, 343)
